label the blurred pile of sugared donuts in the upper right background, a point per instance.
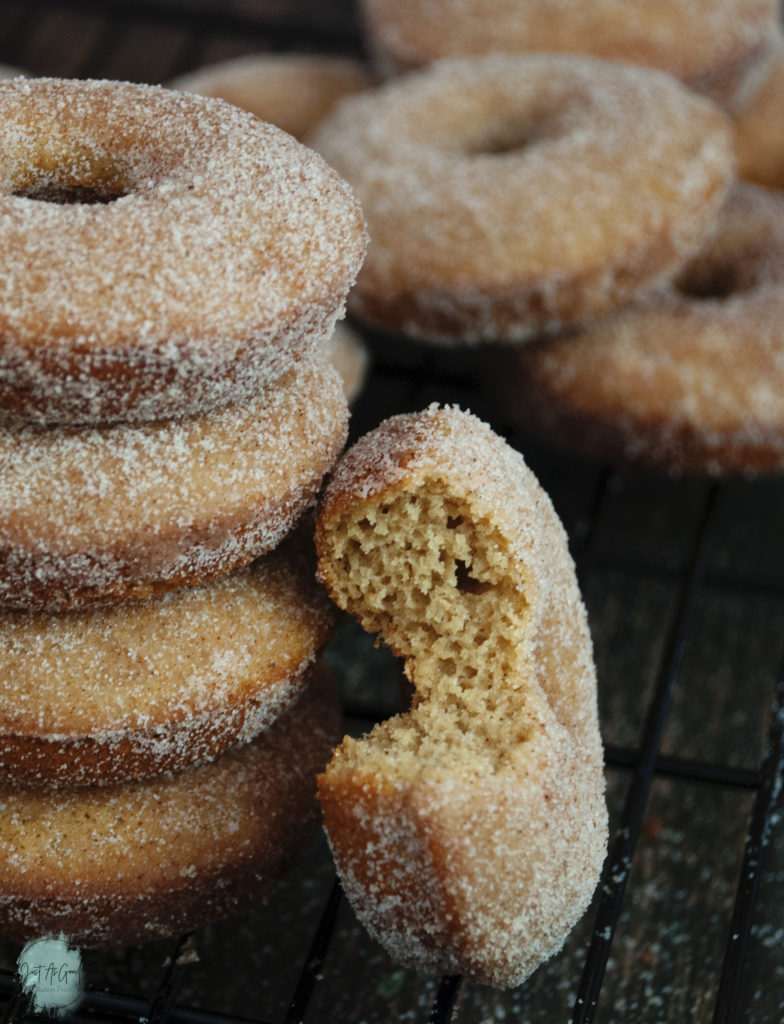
(562, 181)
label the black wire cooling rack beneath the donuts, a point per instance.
(684, 582)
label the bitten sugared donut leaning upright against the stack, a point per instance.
(469, 833)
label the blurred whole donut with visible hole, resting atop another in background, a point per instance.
(506, 195)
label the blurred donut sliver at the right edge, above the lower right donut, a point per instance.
(760, 130)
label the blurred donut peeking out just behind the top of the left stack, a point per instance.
(293, 92)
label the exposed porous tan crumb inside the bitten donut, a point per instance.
(433, 580)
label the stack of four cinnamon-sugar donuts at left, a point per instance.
(171, 270)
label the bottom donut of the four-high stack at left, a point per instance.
(128, 864)
